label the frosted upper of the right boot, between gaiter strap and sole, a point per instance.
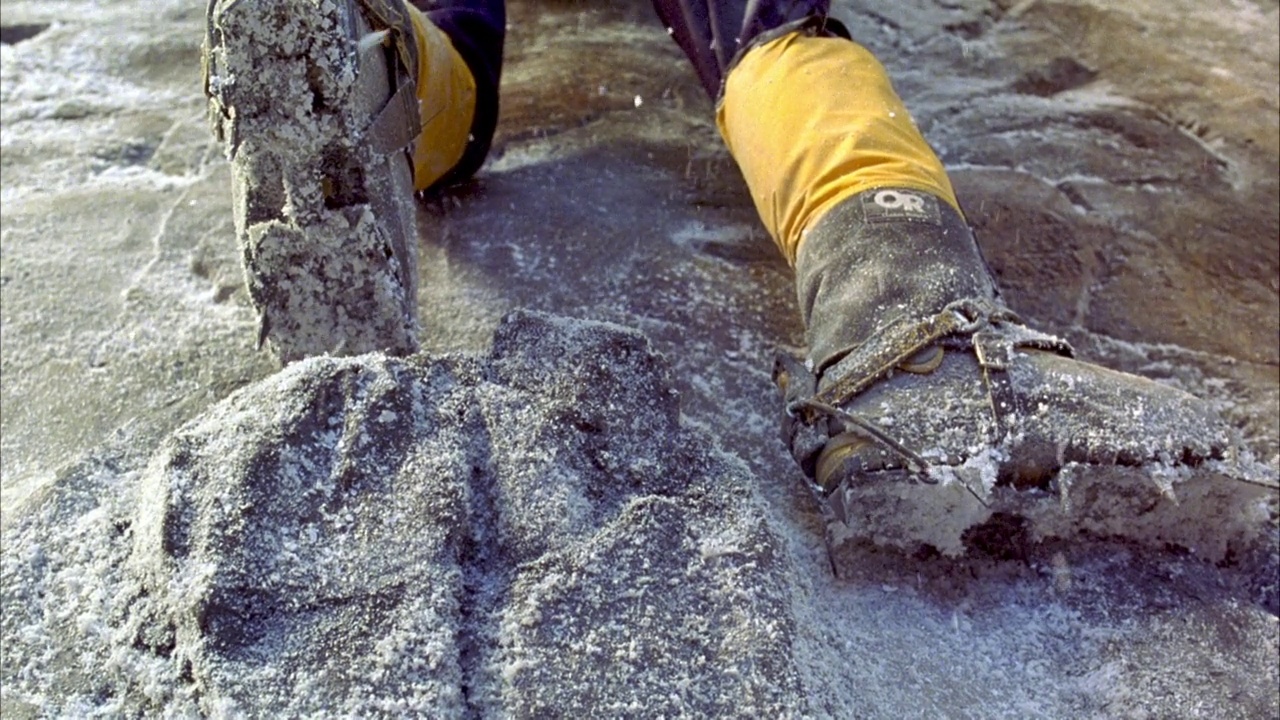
(1043, 412)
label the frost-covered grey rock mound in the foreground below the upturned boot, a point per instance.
(523, 534)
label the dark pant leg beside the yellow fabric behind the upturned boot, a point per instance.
(478, 30)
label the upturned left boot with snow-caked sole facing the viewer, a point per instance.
(316, 102)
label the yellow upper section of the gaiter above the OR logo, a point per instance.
(812, 121)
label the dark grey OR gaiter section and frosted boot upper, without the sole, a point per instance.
(907, 330)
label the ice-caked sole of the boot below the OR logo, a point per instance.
(1213, 512)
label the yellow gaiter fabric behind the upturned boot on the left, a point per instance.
(446, 102)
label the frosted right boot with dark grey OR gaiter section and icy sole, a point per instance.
(926, 405)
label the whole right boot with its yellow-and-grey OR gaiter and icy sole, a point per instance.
(926, 407)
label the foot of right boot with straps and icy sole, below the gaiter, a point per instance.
(940, 427)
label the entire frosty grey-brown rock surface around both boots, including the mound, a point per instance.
(1118, 160)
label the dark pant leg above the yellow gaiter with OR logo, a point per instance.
(715, 33)
